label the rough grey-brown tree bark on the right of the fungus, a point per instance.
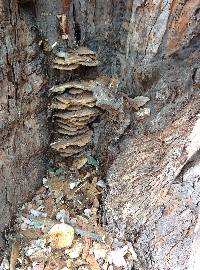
(153, 184)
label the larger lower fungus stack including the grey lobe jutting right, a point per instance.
(76, 105)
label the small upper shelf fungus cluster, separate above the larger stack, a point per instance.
(73, 59)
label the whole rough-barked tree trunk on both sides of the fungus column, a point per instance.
(153, 183)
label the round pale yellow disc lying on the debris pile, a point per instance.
(61, 236)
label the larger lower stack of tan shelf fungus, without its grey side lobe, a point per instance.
(75, 109)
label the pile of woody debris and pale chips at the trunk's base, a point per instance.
(59, 229)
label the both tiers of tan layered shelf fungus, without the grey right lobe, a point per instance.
(74, 104)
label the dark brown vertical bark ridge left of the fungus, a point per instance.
(23, 116)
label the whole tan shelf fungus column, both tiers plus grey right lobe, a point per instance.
(76, 104)
